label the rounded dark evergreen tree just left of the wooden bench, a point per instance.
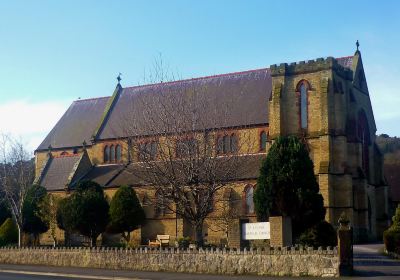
(126, 213)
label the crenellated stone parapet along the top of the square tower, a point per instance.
(302, 67)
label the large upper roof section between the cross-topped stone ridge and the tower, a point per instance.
(227, 100)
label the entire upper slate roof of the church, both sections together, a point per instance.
(228, 100)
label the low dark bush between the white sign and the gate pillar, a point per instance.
(322, 234)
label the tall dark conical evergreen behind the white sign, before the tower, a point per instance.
(287, 186)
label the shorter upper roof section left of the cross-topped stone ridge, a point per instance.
(76, 125)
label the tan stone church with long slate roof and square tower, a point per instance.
(325, 102)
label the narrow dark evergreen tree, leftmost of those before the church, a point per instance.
(31, 221)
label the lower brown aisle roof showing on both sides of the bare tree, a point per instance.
(134, 174)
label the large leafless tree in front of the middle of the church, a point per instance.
(185, 145)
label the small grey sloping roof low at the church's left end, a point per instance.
(57, 172)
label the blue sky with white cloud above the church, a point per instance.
(53, 52)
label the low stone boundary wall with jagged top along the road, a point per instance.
(278, 261)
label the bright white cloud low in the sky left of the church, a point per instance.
(30, 121)
